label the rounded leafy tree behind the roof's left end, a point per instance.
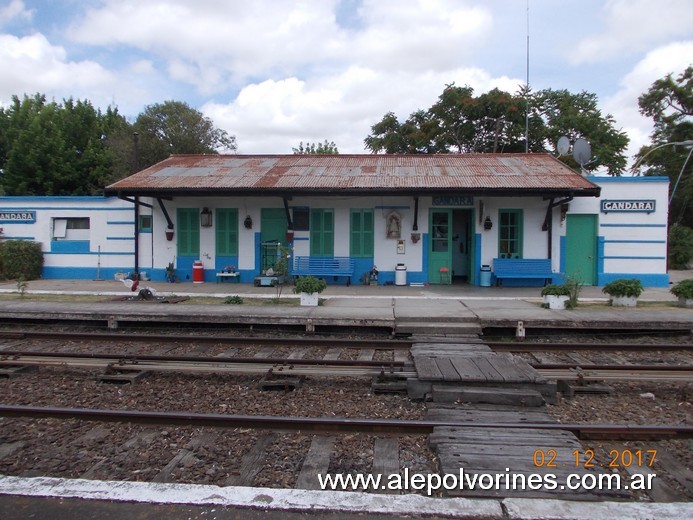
(173, 127)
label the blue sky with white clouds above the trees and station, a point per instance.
(276, 72)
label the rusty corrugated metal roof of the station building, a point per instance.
(338, 173)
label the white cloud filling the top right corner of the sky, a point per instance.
(632, 26)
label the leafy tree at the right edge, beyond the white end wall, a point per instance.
(669, 102)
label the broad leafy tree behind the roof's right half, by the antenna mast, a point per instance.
(494, 122)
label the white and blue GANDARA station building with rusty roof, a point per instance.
(417, 219)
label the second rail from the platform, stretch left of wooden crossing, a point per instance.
(217, 366)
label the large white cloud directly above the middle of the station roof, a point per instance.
(274, 116)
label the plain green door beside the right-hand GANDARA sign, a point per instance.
(581, 248)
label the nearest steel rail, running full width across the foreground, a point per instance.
(395, 426)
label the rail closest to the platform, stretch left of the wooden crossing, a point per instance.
(378, 344)
